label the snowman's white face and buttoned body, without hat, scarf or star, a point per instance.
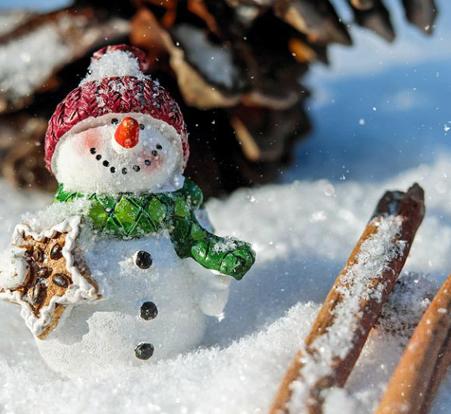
(112, 330)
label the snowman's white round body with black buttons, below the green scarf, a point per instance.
(107, 332)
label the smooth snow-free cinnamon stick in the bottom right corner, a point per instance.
(424, 363)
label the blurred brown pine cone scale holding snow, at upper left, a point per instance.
(77, 31)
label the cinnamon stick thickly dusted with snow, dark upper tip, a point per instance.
(353, 304)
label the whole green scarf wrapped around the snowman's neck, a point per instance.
(130, 215)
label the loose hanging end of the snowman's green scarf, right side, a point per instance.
(227, 256)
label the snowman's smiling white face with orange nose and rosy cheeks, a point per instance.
(119, 153)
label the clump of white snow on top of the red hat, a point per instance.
(115, 63)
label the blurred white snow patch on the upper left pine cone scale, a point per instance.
(40, 52)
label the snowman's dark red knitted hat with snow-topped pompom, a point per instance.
(115, 84)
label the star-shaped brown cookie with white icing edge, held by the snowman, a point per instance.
(47, 274)
